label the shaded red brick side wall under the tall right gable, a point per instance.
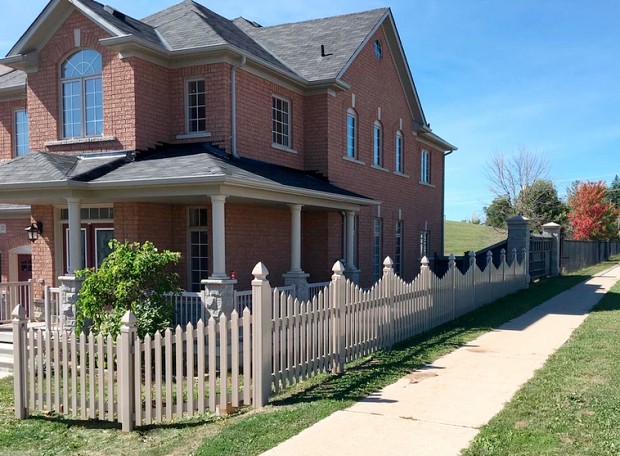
(376, 84)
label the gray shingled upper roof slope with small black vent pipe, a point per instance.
(299, 44)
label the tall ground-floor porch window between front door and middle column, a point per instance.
(198, 236)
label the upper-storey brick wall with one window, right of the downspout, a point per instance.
(254, 127)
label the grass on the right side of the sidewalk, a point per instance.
(572, 405)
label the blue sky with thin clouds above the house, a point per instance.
(492, 75)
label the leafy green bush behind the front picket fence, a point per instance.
(133, 277)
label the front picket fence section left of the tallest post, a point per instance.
(182, 373)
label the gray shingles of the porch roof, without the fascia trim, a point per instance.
(183, 161)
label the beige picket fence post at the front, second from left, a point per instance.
(126, 367)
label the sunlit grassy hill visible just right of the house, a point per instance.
(461, 237)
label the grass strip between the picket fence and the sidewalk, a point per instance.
(251, 432)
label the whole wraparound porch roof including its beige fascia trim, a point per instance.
(170, 173)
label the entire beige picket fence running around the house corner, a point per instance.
(241, 359)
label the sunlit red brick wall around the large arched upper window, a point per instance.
(44, 90)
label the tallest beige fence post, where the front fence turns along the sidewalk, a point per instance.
(262, 334)
